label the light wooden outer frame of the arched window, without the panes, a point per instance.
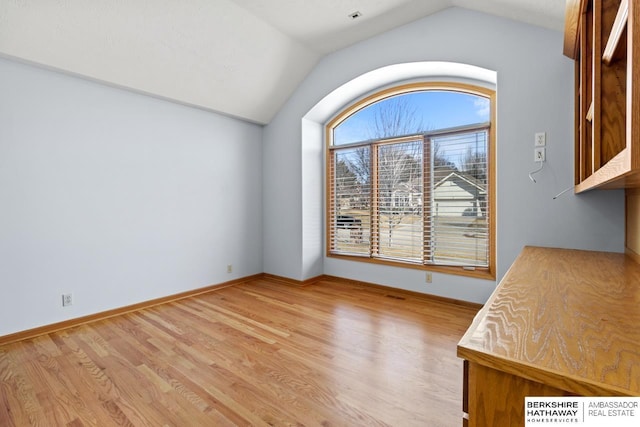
(488, 272)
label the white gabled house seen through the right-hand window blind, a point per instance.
(459, 194)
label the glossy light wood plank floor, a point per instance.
(261, 353)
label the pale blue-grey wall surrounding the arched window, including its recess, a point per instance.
(535, 93)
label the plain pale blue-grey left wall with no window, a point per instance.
(117, 198)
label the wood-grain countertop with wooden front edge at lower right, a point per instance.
(566, 318)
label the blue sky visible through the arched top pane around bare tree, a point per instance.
(436, 109)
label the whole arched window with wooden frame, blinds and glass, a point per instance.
(410, 175)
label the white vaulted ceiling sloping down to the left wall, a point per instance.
(242, 58)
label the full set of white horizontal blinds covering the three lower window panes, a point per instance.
(419, 199)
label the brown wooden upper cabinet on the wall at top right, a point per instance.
(603, 37)
